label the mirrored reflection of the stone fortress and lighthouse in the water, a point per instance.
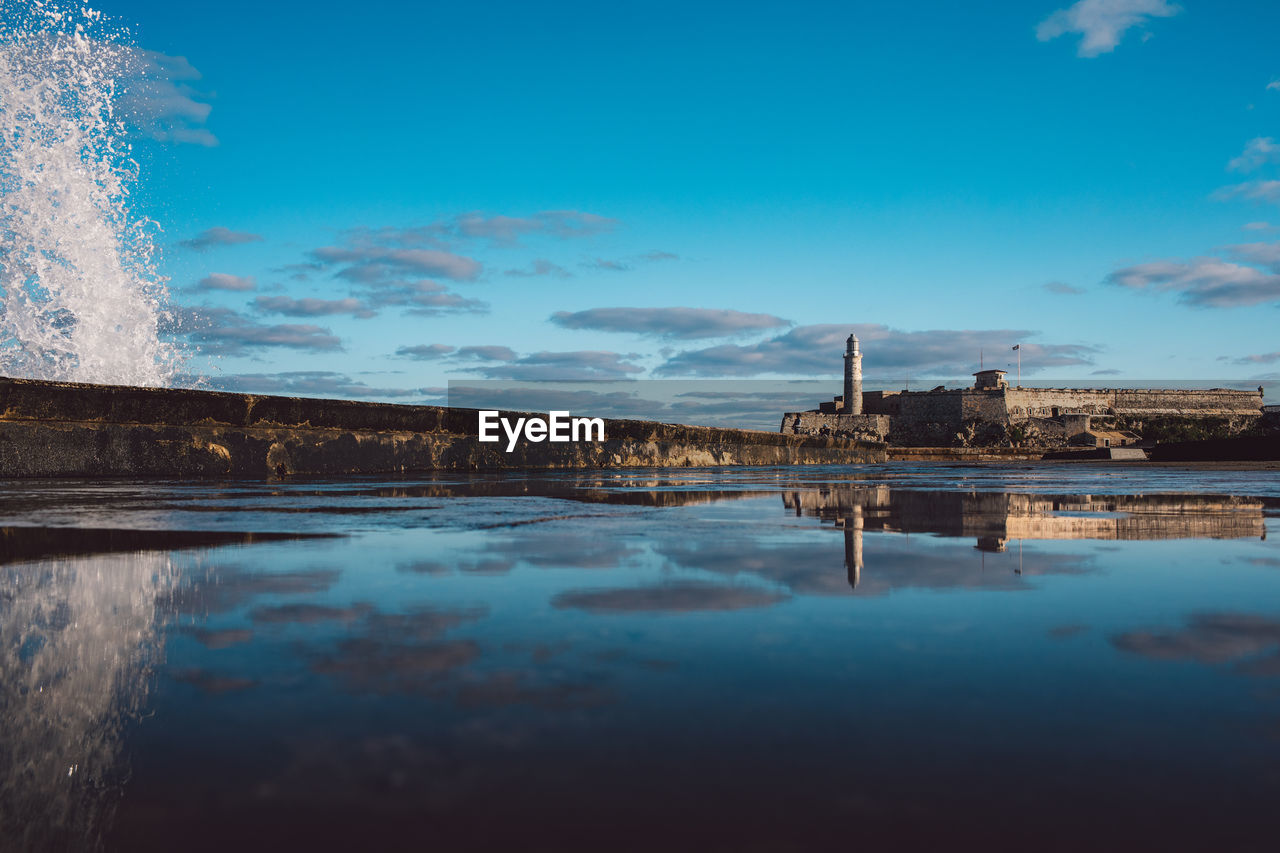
(995, 519)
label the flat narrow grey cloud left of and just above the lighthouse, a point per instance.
(670, 323)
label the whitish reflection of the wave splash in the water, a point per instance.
(77, 640)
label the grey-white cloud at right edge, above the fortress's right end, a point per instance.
(1210, 282)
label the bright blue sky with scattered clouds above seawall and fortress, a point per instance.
(396, 195)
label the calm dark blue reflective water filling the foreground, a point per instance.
(762, 659)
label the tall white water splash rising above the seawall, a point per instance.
(80, 297)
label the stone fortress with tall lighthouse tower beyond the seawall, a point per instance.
(995, 414)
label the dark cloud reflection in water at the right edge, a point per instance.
(1210, 638)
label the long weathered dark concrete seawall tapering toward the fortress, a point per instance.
(62, 430)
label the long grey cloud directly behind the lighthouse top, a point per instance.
(816, 352)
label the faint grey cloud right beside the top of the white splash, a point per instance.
(159, 99)
